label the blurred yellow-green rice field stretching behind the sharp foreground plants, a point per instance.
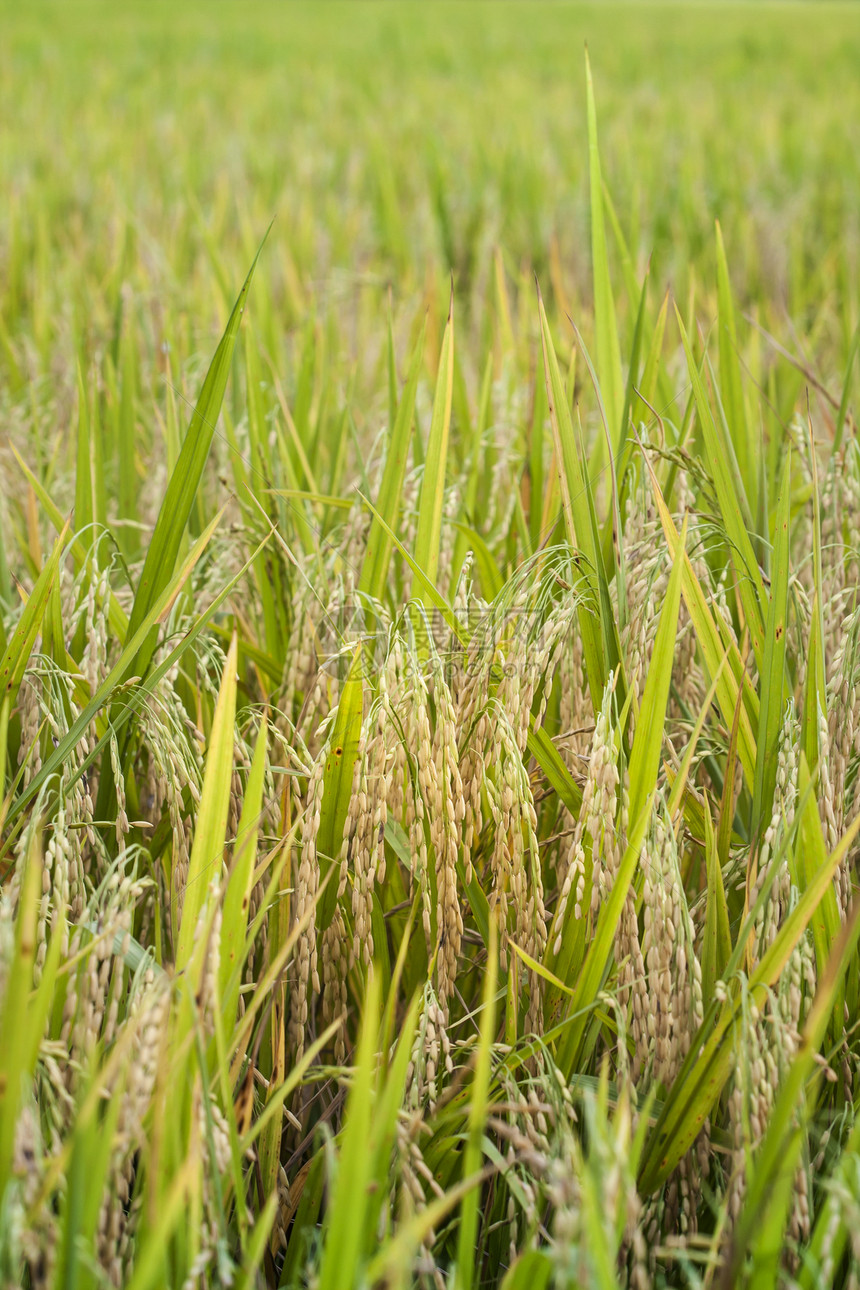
(396, 144)
